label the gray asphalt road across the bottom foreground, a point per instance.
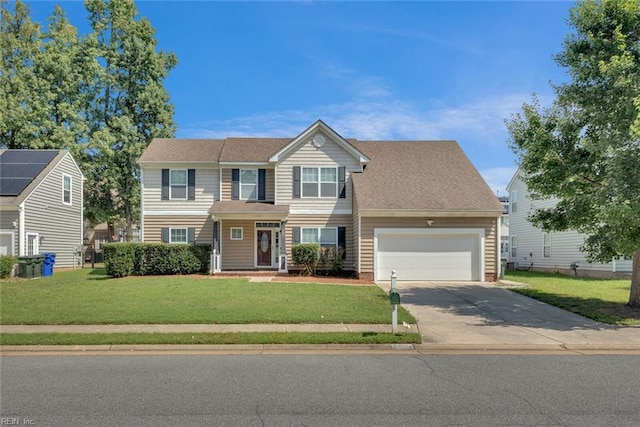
(331, 390)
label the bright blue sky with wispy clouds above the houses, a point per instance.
(370, 70)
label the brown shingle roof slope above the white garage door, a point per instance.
(421, 175)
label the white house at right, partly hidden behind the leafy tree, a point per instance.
(555, 251)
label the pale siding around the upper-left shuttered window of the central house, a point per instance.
(207, 189)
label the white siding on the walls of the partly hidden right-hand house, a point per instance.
(564, 245)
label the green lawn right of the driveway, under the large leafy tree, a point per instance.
(599, 299)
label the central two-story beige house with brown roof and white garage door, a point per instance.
(417, 207)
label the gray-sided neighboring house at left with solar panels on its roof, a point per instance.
(41, 205)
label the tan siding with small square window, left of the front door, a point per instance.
(237, 254)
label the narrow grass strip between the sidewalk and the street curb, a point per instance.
(210, 338)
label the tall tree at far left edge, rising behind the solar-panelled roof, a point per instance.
(20, 45)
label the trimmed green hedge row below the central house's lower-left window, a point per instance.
(140, 259)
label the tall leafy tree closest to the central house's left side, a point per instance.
(131, 106)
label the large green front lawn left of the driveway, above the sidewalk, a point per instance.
(87, 296)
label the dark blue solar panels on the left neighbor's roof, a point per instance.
(19, 167)
